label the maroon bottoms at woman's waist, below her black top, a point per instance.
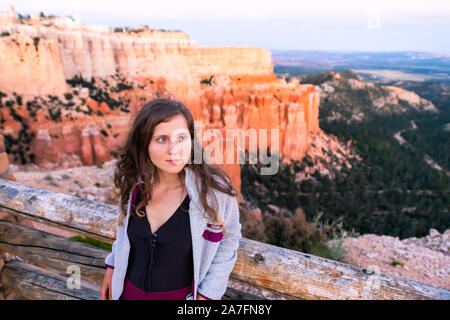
(131, 292)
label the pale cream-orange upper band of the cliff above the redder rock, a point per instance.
(52, 50)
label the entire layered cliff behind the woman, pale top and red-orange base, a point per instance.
(76, 88)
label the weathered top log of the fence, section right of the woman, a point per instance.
(298, 275)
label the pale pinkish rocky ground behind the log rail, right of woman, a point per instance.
(425, 260)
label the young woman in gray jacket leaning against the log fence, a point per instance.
(178, 226)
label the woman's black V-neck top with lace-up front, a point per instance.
(161, 261)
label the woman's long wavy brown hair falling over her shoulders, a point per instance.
(134, 161)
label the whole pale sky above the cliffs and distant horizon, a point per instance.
(342, 25)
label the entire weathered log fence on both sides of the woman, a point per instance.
(47, 261)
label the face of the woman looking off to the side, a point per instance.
(171, 140)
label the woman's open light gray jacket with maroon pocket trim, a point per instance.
(214, 254)
